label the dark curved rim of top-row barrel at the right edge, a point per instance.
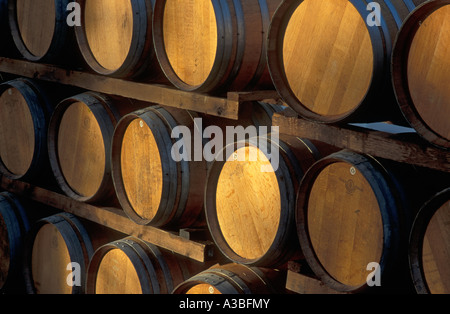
(399, 73)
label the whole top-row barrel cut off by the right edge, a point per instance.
(420, 71)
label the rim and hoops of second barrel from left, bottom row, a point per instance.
(77, 240)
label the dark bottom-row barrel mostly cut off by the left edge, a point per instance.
(14, 225)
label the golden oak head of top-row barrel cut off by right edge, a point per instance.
(428, 72)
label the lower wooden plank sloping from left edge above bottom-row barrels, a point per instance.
(112, 218)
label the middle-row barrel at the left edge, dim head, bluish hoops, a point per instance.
(25, 111)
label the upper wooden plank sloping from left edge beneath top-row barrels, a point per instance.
(152, 93)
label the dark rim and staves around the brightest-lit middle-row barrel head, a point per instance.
(285, 245)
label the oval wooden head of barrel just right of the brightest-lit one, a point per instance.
(344, 223)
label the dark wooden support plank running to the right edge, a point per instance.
(404, 147)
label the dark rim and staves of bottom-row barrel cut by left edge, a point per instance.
(17, 219)
